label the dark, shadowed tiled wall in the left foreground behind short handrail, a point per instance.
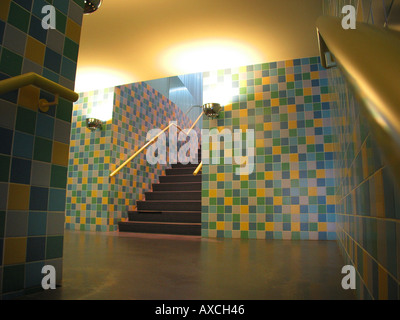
(34, 145)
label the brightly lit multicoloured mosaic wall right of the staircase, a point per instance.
(290, 194)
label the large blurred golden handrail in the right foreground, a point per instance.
(369, 59)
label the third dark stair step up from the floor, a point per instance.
(169, 205)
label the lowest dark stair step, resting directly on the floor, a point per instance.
(160, 227)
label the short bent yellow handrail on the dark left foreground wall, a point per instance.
(32, 78)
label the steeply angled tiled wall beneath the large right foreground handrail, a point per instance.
(368, 207)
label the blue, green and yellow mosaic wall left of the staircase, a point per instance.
(94, 201)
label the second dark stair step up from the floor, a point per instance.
(165, 216)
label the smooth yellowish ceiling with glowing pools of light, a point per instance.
(127, 41)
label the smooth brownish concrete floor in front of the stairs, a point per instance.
(148, 267)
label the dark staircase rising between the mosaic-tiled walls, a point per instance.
(173, 207)
